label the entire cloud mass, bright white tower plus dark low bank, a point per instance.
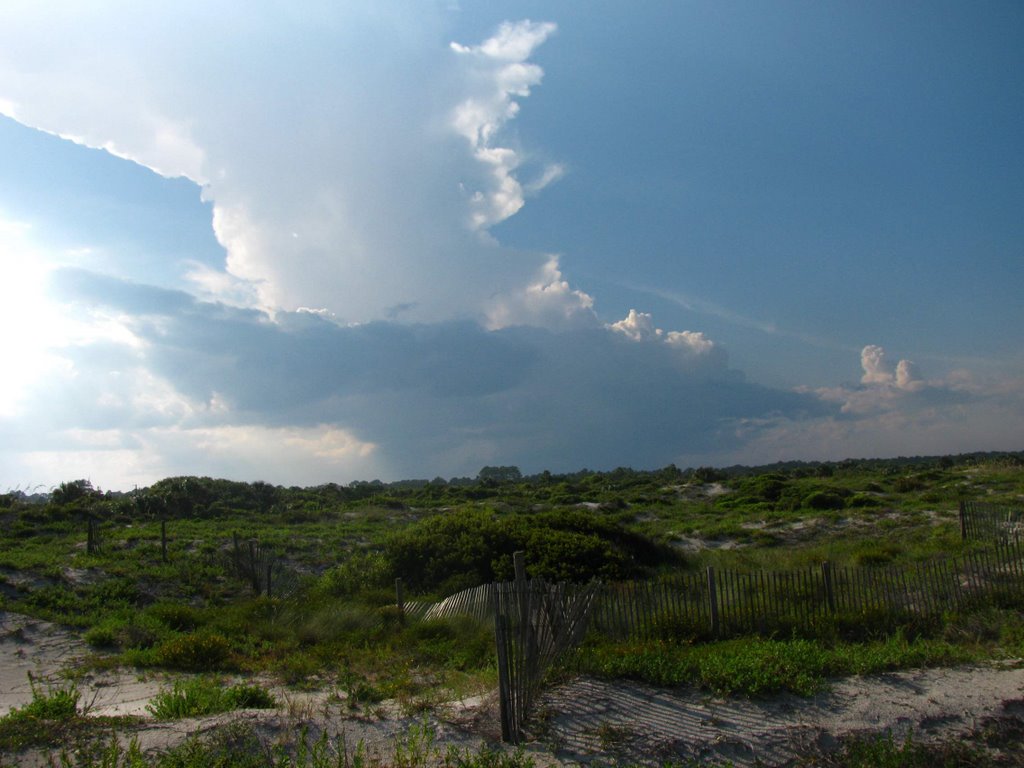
(354, 159)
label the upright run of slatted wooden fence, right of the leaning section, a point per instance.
(724, 604)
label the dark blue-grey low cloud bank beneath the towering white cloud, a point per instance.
(407, 400)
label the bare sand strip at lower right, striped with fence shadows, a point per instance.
(587, 717)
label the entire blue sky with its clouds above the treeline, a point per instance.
(329, 241)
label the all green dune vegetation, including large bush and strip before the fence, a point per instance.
(160, 583)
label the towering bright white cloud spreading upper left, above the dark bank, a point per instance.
(355, 172)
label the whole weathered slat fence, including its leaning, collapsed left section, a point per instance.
(536, 622)
